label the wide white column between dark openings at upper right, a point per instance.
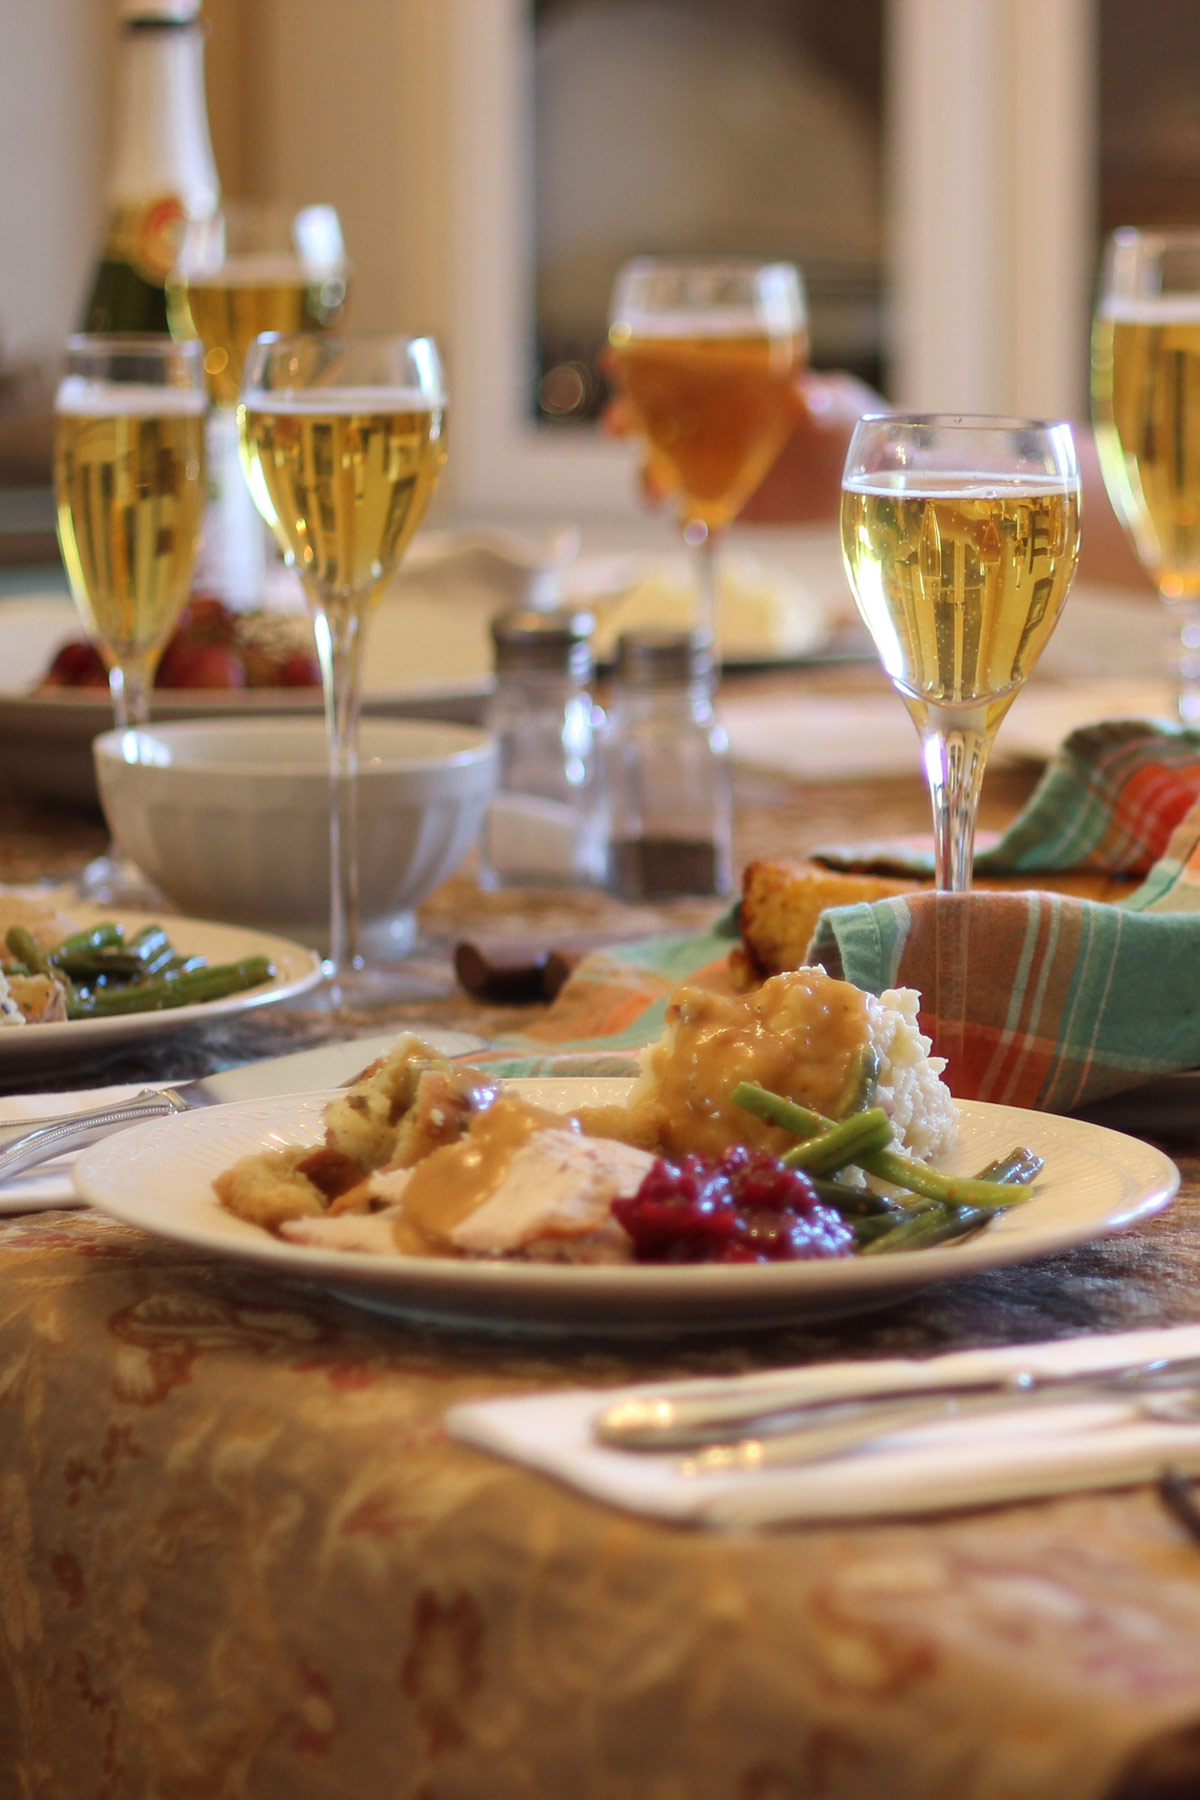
(992, 202)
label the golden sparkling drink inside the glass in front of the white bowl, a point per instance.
(346, 485)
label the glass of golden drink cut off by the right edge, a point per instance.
(1147, 415)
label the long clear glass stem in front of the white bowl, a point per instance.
(339, 647)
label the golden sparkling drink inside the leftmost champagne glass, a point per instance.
(130, 501)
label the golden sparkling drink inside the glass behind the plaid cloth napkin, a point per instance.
(960, 584)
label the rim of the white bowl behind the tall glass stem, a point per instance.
(474, 748)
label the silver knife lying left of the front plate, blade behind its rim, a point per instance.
(24, 1144)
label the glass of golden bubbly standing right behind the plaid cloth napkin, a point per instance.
(962, 539)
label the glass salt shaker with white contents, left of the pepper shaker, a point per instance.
(546, 822)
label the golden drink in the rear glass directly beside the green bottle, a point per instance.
(229, 310)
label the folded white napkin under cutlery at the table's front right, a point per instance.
(974, 1462)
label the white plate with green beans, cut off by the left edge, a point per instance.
(298, 969)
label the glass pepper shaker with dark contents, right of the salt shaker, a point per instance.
(667, 771)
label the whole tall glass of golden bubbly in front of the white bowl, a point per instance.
(343, 442)
